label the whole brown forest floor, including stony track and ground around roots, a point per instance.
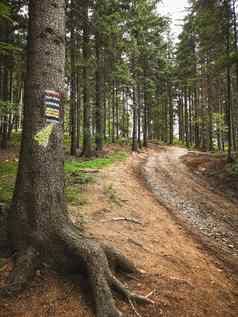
(169, 233)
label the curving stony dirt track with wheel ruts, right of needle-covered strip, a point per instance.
(207, 213)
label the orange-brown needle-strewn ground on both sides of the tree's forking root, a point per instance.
(118, 208)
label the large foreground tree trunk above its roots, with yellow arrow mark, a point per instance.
(38, 203)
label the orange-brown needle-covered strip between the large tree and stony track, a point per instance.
(185, 281)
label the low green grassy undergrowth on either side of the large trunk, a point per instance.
(75, 179)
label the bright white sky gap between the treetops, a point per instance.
(176, 10)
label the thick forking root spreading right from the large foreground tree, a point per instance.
(96, 259)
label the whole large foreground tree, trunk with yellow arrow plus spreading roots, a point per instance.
(39, 227)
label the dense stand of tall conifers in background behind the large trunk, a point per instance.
(126, 81)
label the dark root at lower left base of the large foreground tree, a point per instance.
(24, 269)
